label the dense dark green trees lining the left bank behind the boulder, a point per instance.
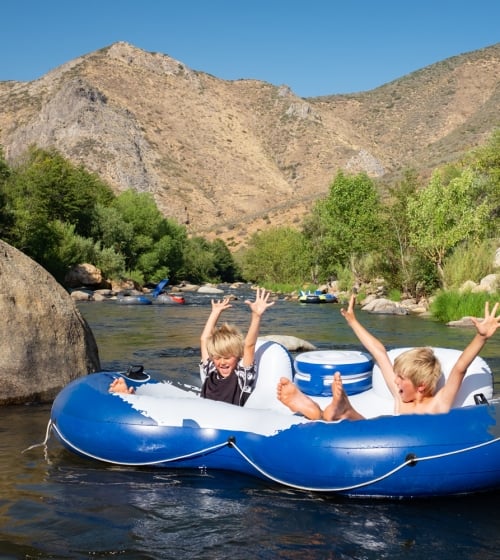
(61, 215)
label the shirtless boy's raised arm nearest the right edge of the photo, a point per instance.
(485, 328)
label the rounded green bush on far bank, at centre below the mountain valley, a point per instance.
(279, 255)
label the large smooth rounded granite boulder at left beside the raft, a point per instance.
(44, 341)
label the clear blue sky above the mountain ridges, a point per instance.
(317, 47)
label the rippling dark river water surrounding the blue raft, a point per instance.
(55, 505)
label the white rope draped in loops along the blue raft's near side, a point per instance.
(411, 460)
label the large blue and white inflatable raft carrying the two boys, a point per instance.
(162, 425)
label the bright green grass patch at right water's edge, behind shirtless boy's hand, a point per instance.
(453, 305)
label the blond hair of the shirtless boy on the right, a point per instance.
(421, 367)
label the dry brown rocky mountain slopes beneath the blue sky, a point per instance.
(232, 157)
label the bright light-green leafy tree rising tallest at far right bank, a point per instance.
(442, 216)
